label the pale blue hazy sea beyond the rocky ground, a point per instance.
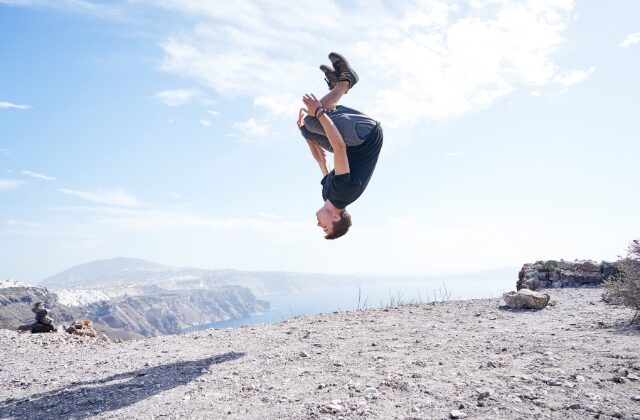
(376, 293)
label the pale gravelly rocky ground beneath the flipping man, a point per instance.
(578, 358)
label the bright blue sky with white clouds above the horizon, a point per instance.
(165, 130)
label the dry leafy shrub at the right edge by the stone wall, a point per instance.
(626, 289)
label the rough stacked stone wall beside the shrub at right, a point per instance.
(556, 274)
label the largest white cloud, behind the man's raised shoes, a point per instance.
(445, 62)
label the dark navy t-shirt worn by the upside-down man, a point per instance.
(342, 190)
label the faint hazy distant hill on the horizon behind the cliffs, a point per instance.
(125, 272)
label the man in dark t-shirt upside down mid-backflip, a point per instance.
(354, 139)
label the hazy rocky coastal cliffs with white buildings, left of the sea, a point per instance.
(152, 312)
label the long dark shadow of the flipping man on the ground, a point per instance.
(90, 398)
